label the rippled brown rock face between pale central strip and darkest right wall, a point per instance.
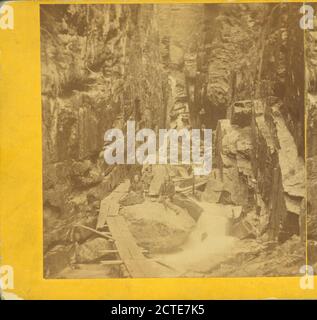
(231, 49)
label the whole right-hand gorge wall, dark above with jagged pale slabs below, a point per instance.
(259, 151)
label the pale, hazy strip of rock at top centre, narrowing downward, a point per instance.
(181, 29)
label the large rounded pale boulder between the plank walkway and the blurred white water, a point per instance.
(158, 229)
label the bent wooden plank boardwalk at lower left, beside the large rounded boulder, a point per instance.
(138, 266)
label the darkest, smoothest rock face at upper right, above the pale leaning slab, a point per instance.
(282, 67)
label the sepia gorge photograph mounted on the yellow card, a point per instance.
(174, 140)
